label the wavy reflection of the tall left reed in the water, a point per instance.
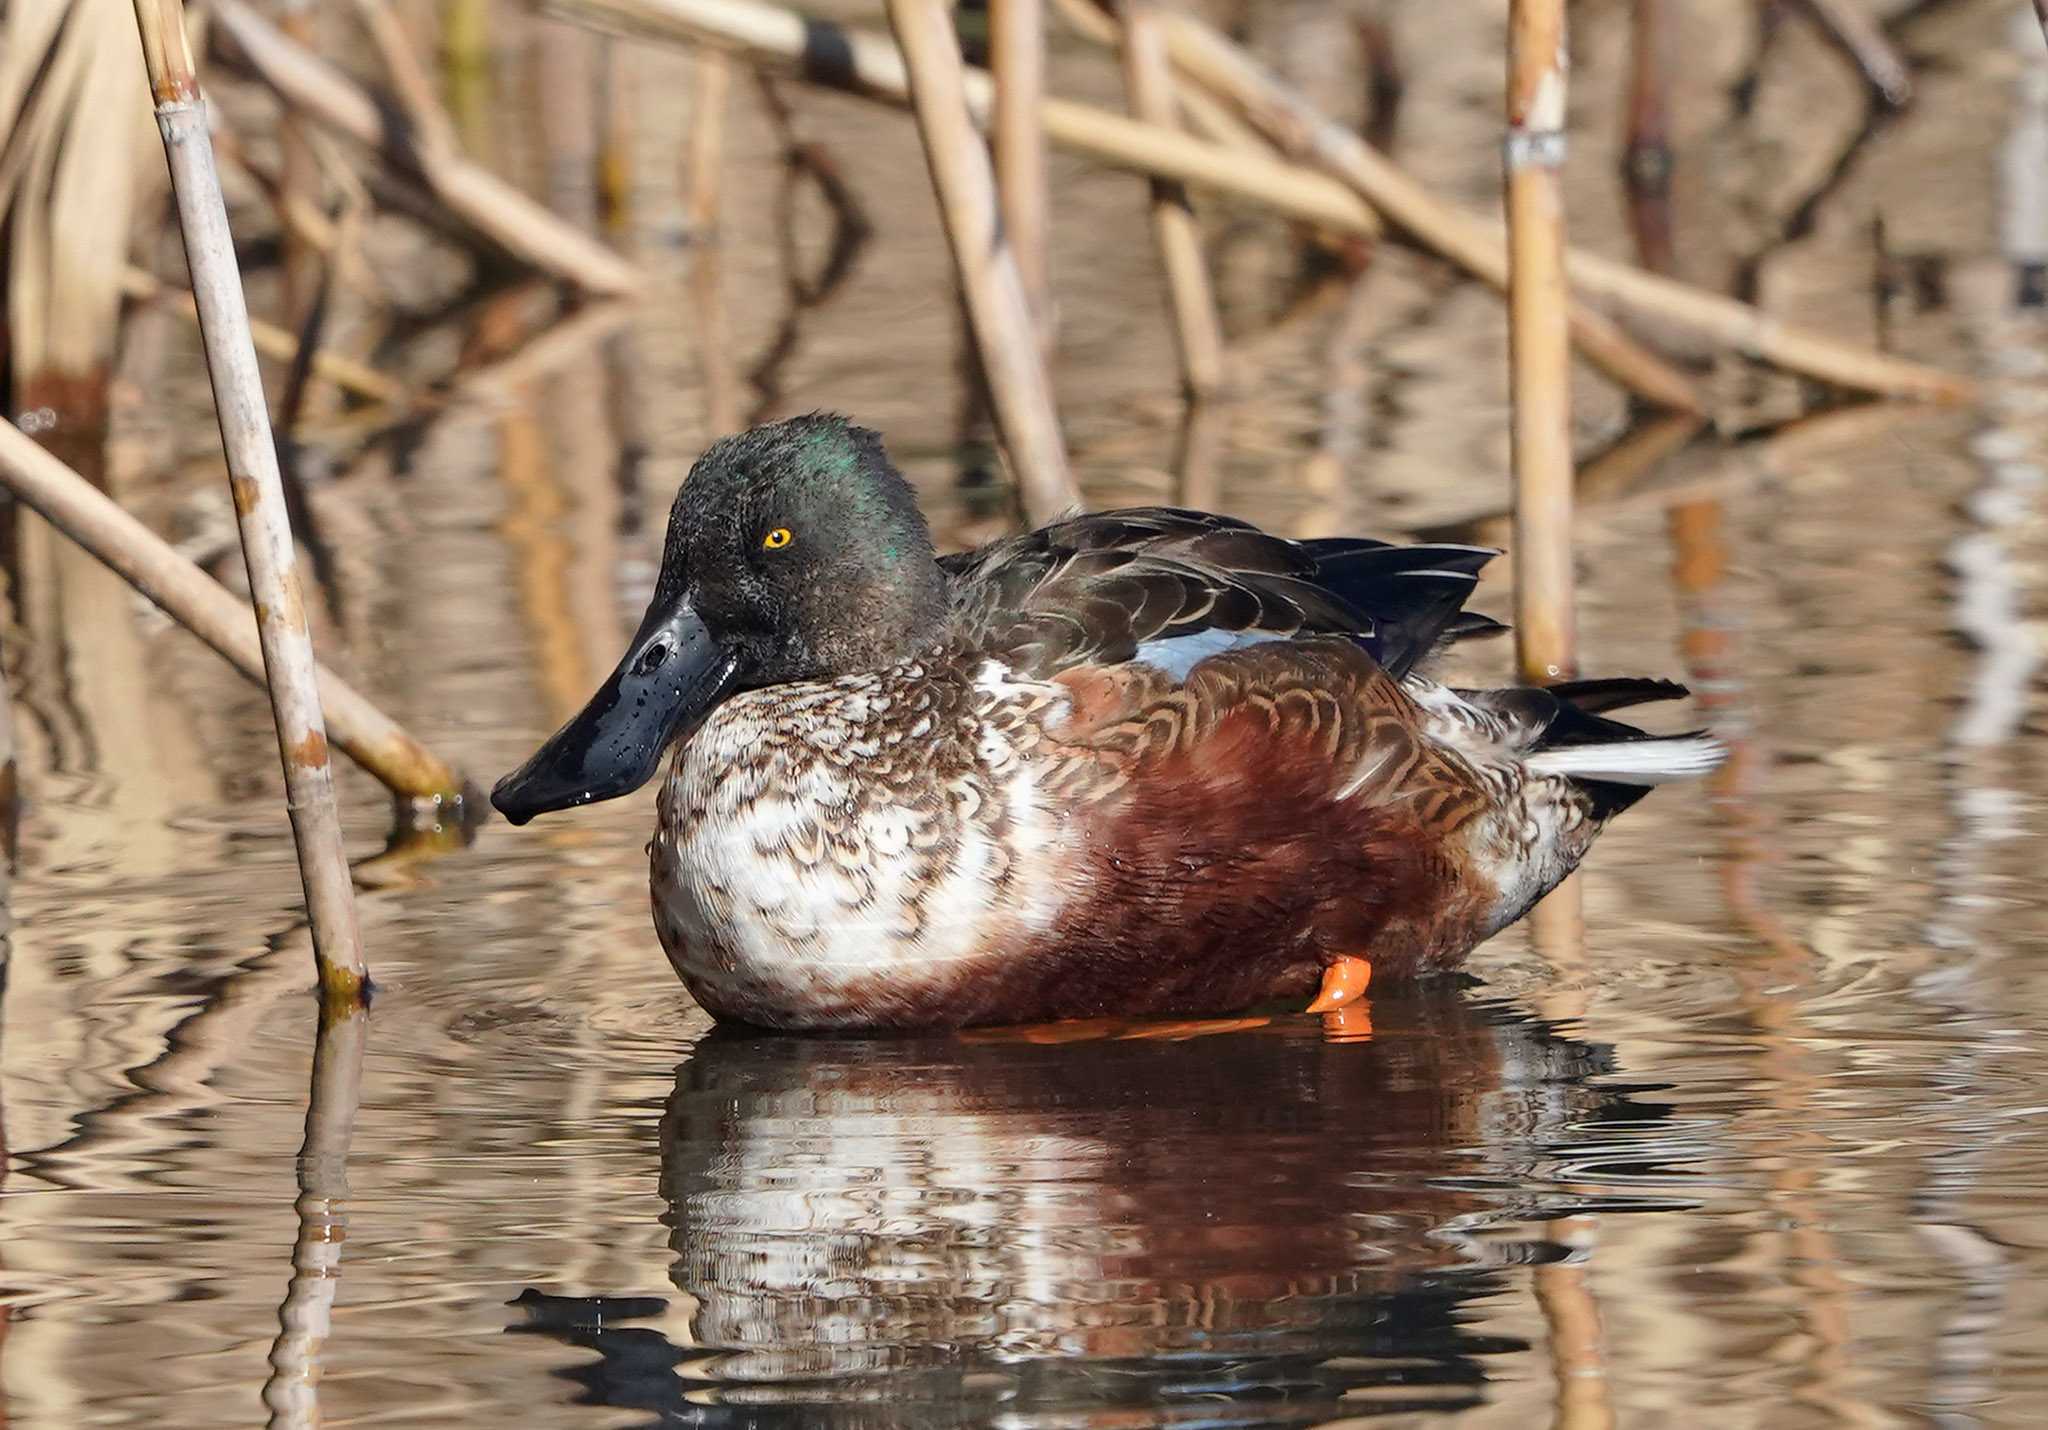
(306, 1316)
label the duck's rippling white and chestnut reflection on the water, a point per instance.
(1222, 1230)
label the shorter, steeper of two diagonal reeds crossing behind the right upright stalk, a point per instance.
(1302, 132)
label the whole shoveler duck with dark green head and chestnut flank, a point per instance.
(1136, 763)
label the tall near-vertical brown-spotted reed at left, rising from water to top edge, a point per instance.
(259, 493)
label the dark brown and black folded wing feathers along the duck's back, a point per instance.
(1095, 589)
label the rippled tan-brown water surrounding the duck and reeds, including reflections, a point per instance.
(1760, 1140)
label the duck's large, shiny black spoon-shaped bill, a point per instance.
(673, 675)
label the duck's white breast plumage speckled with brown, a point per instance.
(847, 851)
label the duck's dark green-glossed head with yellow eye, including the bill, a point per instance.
(796, 552)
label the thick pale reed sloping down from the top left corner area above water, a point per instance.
(476, 196)
